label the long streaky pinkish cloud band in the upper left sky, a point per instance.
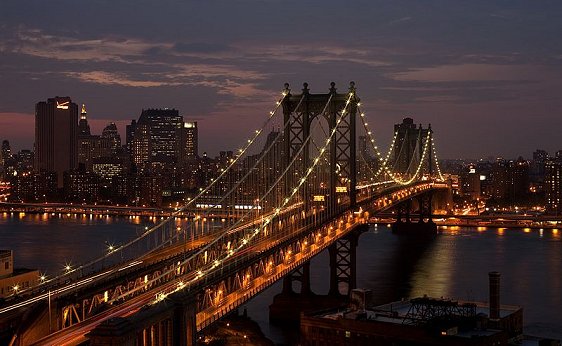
(132, 62)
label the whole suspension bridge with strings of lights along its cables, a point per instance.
(309, 184)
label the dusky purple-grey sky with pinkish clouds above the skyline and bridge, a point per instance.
(487, 75)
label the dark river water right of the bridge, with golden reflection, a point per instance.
(454, 265)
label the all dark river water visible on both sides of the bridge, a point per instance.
(454, 265)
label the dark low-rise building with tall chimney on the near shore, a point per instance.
(418, 321)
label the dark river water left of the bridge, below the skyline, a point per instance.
(47, 243)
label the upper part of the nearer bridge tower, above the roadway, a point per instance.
(299, 111)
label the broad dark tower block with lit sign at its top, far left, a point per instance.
(56, 136)
